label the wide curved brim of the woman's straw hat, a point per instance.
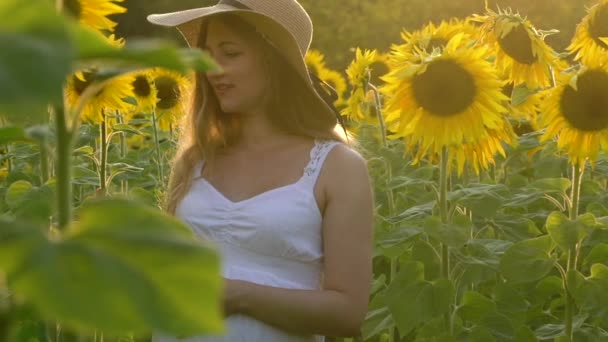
(189, 22)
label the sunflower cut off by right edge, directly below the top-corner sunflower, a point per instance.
(576, 111)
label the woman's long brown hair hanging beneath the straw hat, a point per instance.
(292, 107)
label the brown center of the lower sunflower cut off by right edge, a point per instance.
(587, 108)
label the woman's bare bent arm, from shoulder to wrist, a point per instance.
(340, 307)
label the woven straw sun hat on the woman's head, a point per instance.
(283, 23)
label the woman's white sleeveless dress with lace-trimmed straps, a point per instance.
(273, 238)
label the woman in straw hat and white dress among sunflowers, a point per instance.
(263, 174)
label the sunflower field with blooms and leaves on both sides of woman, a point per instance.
(487, 148)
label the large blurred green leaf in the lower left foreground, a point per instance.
(124, 267)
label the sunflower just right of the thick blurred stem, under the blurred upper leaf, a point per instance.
(111, 96)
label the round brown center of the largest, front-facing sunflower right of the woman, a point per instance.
(445, 88)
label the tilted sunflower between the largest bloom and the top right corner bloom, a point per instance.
(522, 55)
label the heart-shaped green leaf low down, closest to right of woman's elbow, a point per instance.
(413, 300)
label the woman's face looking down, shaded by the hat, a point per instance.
(241, 85)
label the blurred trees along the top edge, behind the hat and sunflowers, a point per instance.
(341, 25)
